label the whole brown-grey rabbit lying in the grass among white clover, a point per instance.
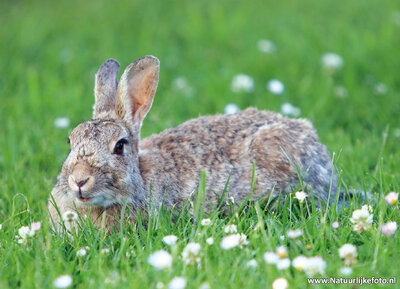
(109, 165)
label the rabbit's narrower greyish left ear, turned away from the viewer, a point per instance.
(105, 89)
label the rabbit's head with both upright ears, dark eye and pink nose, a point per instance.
(101, 169)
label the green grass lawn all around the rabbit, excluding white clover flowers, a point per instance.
(49, 54)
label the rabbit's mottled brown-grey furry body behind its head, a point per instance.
(228, 145)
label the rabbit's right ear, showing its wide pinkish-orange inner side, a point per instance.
(136, 90)
